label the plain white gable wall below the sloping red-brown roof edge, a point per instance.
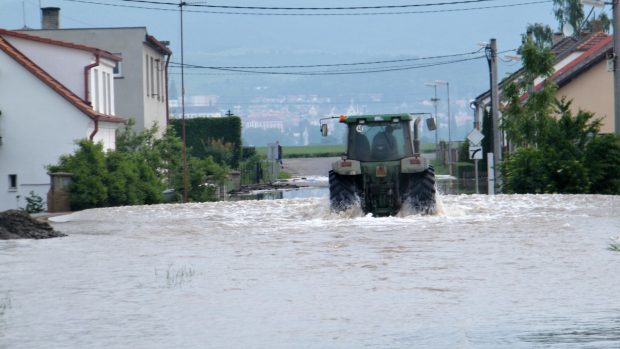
(37, 126)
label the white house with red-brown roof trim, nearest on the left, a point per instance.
(52, 93)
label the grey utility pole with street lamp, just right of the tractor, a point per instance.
(491, 53)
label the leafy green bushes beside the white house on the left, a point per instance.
(137, 172)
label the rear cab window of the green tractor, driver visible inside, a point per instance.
(379, 141)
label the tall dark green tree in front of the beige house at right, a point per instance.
(557, 151)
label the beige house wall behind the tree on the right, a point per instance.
(593, 91)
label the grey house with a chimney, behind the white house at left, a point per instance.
(141, 78)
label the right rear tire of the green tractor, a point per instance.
(421, 192)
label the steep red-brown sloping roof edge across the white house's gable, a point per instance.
(54, 84)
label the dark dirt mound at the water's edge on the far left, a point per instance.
(19, 225)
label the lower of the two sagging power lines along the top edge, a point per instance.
(308, 14)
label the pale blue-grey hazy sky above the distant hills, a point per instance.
(422, 34)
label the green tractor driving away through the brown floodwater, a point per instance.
(382, 169)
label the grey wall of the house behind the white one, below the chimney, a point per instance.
(129, 43)
